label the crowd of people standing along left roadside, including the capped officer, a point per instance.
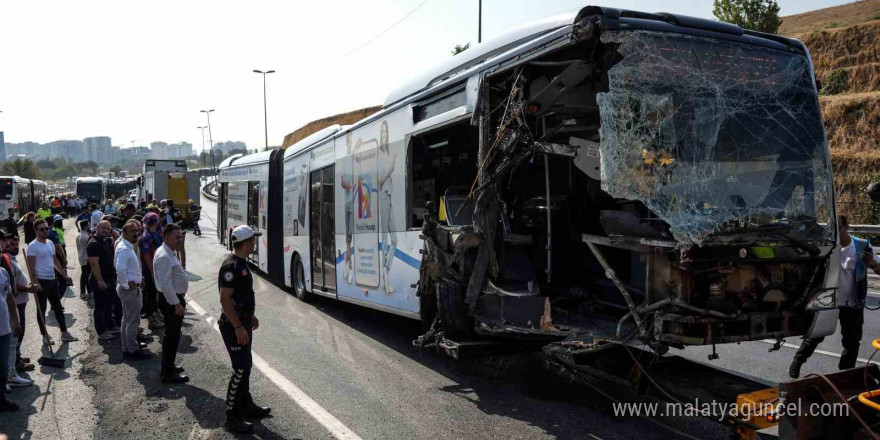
(132, 262)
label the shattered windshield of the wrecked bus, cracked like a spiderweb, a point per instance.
(714, 136)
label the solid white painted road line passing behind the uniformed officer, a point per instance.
(321, 415)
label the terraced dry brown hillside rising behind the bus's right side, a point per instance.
(844, 42)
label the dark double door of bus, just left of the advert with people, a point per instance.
(321, 233)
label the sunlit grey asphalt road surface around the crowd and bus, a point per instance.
(334, 370)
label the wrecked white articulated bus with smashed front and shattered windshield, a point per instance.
(609, 174)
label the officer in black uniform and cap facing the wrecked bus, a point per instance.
(237, 324)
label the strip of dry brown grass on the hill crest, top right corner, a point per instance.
(838, 16)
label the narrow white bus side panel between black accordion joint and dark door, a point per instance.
(296, 215)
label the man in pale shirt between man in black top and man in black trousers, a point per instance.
(128, 283)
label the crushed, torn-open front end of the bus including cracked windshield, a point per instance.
(652, 177)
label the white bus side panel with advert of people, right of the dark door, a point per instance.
(371, 216)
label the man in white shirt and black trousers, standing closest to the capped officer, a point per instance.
(172, 284)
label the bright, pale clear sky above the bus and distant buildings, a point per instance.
(141, 71)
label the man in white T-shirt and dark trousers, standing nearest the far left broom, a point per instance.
(42, 264)
